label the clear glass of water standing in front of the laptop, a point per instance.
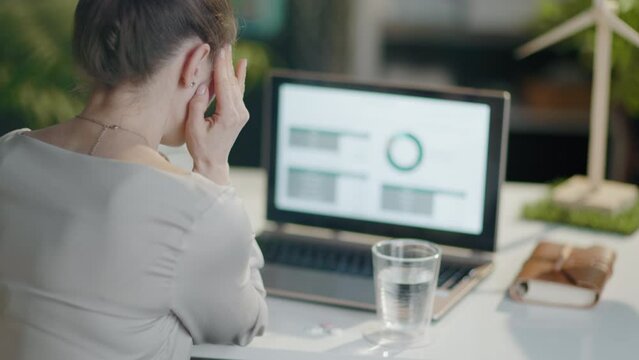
(406, 273)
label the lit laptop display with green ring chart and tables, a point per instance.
(386, 157)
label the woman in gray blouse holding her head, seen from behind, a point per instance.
(107, 251)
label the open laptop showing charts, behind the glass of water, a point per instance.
(351, 162)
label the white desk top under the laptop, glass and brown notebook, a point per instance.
(485, 325)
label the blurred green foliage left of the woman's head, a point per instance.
(37, 77)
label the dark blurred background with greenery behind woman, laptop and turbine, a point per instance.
(433, 42)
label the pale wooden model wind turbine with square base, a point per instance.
(593, 191)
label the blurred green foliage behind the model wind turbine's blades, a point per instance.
(625, 81)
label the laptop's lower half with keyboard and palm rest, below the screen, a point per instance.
(337, 273)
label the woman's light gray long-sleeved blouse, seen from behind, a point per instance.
(102, 259)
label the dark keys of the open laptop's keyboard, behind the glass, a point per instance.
(342, 260)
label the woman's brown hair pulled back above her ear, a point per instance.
(128, 40)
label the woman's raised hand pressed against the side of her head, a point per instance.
(209, 140)
